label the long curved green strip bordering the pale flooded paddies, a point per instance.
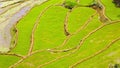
(25, 30)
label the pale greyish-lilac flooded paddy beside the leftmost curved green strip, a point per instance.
(11, 19)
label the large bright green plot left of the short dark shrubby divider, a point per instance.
(52, 24)
